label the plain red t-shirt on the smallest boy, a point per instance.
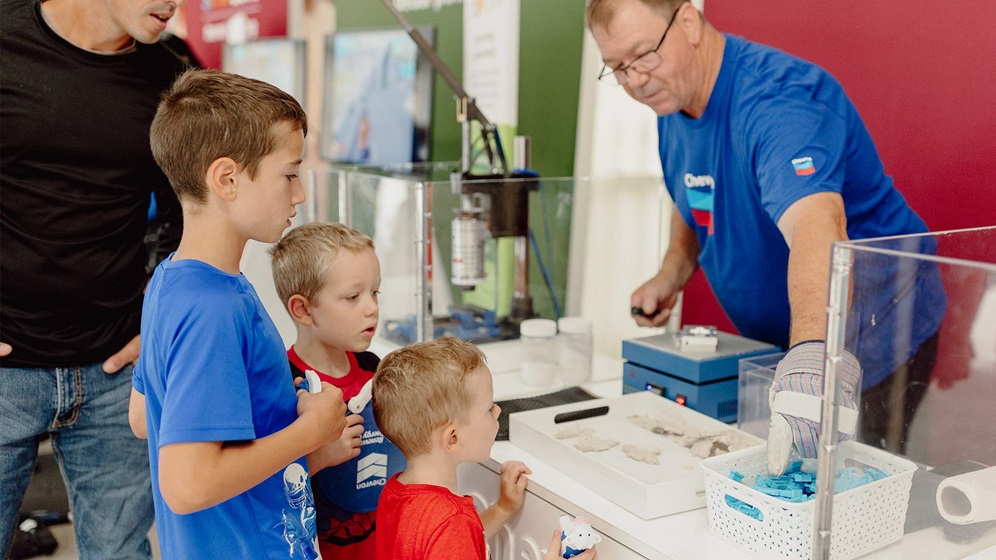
(426, 522)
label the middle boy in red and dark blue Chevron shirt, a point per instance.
(328, 277)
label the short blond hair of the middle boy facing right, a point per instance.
(301, 259)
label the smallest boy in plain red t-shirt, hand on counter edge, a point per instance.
(434, 400)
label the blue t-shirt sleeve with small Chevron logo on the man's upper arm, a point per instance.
(798, 148)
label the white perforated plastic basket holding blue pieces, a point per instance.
(865, 518)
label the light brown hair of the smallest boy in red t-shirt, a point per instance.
(422, 387)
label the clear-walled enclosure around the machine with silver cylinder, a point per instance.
(454, 260)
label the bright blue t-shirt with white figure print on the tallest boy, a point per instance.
(213, 368)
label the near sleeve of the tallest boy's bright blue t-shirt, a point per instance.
(207, 394)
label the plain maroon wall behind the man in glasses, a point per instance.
(923, 77)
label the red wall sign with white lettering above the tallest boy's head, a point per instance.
(212, 23)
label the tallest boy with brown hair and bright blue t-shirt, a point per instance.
(230, 442)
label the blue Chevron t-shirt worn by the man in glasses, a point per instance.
(777, 129)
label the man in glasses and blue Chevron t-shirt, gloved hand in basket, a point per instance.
(768, 164)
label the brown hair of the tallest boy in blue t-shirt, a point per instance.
(207, 115)
